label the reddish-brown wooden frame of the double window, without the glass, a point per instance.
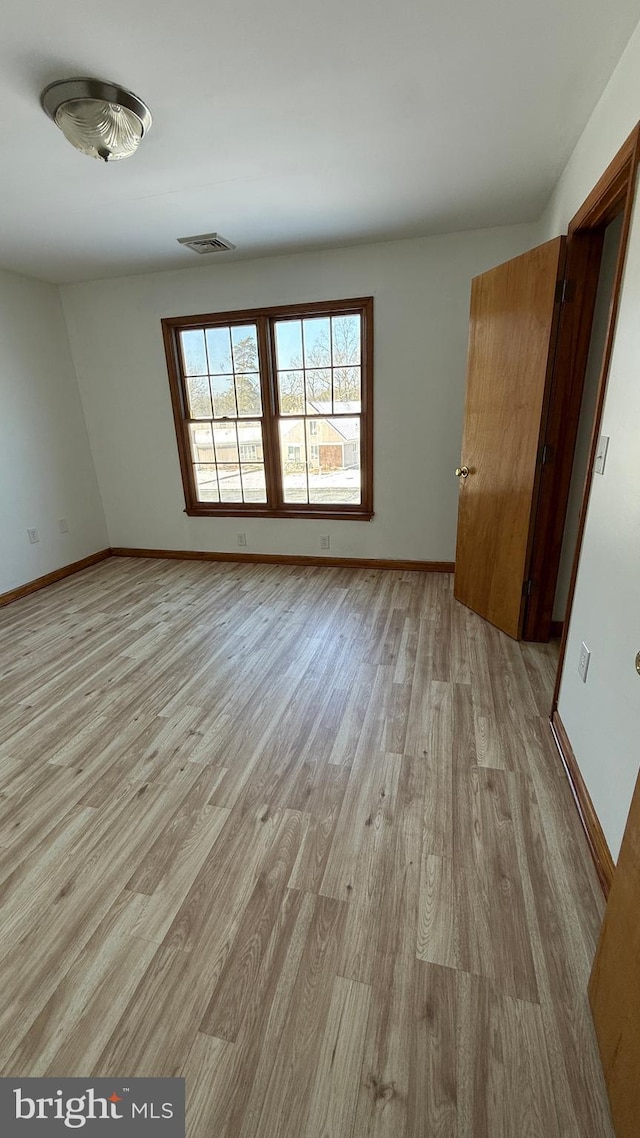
(265, 319)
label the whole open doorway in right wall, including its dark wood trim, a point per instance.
(597, 242)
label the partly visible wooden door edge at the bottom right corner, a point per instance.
(614, 989)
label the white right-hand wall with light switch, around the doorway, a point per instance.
(603, 716)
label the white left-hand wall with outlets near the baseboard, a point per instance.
(46, 467)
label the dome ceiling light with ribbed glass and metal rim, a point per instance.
(100, 119)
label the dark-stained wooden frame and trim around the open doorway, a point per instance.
(613, 194)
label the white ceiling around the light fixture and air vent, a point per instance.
(293, 123)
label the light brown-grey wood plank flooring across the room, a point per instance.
(302, 837)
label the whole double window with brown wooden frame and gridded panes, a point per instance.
(273, 410)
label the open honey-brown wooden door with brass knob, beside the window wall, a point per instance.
(512, 337)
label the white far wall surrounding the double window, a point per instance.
(422, 303)
